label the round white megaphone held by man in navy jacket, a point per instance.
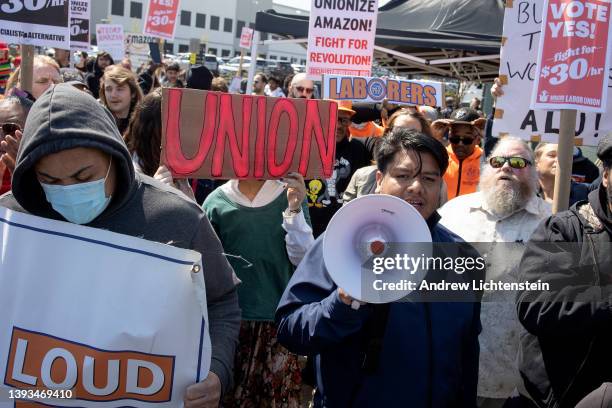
(363, 242)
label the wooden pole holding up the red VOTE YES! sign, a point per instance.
(567, 133)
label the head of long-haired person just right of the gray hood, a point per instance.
(119, 92)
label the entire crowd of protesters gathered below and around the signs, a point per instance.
(85, 148)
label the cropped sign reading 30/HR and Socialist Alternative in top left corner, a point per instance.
(41, 23)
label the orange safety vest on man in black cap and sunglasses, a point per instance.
(462, 177)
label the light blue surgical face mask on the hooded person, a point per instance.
(79, 203)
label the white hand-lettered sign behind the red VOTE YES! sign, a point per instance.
(513, 116)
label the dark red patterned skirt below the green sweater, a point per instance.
(265, 373)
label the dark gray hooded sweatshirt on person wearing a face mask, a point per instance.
(65, 118)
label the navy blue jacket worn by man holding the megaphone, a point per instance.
(429, 356)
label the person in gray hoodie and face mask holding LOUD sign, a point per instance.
(73, 165)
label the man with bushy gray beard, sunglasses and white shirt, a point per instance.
(503, 214)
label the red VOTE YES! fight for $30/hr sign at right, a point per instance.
(573, 57)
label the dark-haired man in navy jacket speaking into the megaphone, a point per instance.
(401, 354)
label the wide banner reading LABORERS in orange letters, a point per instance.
(368, 89)
